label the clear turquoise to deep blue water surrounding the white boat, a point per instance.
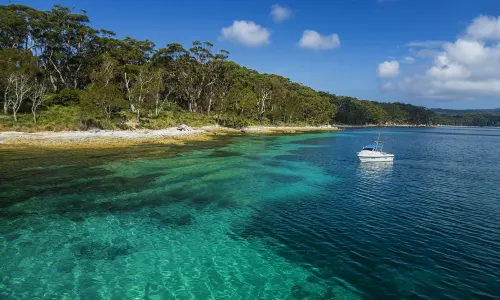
(256, 217)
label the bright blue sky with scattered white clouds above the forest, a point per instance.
(373, 58)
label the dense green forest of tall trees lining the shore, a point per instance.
(57, 72)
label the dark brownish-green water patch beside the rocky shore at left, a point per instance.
(75, 178)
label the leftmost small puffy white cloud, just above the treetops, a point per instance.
(246, 33)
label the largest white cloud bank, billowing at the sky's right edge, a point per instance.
(466, 68)
